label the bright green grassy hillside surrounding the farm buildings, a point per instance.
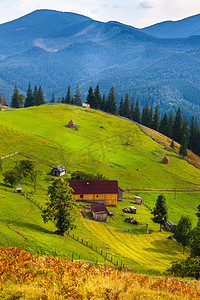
(98, 146)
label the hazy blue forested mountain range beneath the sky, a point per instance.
(55, 49)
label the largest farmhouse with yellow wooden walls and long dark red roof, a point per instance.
(100, 191)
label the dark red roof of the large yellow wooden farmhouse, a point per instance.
(94, 186)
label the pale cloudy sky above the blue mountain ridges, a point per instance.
(138, 13)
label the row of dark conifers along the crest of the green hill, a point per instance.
(173, 126)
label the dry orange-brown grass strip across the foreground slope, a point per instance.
(25, 276)
